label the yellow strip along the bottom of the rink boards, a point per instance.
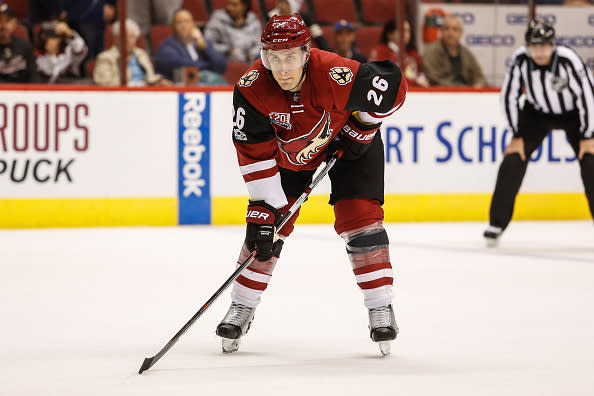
(102, 212)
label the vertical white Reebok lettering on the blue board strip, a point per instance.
(192, 144)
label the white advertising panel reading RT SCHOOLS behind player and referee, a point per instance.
(437, 143)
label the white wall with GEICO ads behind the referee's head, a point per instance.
(493, 32)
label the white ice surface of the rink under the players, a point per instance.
(81, 308)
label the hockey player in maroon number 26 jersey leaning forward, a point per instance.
(291, 110)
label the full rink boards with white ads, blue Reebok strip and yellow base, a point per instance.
(97, 157)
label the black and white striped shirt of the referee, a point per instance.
(565, 85)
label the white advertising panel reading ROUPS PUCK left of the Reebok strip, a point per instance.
(88, 144)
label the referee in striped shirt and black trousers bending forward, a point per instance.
(559, 94)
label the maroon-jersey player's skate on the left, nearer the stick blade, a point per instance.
(236, 323)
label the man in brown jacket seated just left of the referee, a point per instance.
(449, 63)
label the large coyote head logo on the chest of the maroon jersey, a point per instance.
(300, 150)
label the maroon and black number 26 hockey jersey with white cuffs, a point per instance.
(274, 128)
